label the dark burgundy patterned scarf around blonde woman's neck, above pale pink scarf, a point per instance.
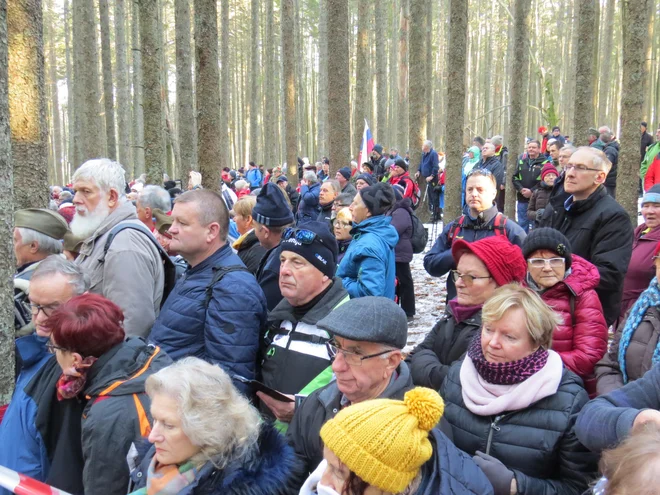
(509, 373)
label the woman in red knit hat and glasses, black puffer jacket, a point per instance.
(481, 267)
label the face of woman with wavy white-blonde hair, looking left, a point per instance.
(172, 445)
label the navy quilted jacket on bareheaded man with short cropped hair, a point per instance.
(227, 331)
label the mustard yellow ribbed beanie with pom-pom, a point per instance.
(383, 441)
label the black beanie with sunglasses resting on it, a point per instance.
(322, 254)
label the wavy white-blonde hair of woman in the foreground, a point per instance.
(214, 415)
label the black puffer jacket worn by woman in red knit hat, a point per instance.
(445, 344)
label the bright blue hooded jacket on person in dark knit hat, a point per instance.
(368, 268)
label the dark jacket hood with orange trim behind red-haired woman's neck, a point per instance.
(126, 367)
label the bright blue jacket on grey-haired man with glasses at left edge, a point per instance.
(22, 447)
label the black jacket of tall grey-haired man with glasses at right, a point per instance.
(600, 231)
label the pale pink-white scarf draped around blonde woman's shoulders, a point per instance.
(487, 399)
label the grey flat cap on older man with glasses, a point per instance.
(369, 319)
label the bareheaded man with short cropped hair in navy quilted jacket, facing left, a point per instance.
(216, 320)
